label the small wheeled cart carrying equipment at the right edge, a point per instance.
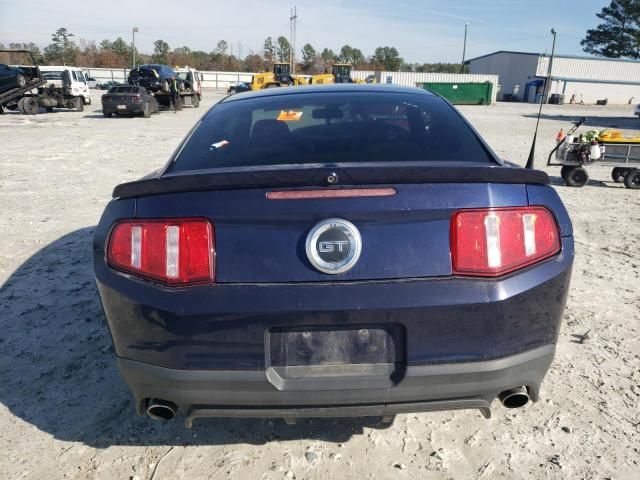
(573, 157)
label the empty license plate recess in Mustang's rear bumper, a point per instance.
(330, 357)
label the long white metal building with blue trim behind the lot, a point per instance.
(583, 79)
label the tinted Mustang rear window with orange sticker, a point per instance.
(325, 128)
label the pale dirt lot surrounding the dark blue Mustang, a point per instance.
(65, 412)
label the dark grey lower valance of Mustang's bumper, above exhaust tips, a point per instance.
(201, 393)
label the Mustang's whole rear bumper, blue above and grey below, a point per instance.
(456, 342)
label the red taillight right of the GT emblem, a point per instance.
(495, 241)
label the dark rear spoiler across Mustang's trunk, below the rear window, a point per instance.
(338, 175)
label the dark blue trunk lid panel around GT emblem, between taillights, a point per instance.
(260, 237)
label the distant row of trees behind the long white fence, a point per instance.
(65, 50)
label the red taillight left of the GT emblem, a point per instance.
(173, 251)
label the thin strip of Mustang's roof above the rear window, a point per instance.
(332, 88)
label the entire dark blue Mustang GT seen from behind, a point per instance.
(343, 250)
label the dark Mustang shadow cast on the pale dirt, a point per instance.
(57, 367)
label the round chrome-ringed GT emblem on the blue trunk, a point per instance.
(333, 246)
